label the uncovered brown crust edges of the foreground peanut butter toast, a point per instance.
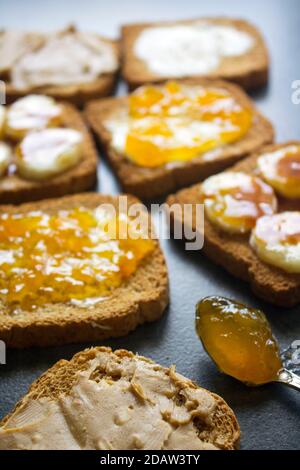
(59, 379)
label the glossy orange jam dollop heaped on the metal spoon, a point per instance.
(238, 339)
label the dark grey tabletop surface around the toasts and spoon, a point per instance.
(269, 415)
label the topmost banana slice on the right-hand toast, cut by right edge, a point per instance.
(281, 169)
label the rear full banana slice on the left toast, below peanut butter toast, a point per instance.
(34, 112)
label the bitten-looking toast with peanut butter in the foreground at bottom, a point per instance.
(105, 400)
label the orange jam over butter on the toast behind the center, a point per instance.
(178, 122)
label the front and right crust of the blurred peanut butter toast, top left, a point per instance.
(78, 95)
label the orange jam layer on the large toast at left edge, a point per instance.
(68, 256)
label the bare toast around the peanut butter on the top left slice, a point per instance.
(77, 94)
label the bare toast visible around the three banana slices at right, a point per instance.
(233, 252)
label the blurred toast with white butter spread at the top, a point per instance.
(225, 48)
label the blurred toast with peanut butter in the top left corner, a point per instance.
(70, 65)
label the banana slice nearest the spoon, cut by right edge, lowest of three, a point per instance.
(276, 240)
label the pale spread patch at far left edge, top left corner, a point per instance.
(14, 44)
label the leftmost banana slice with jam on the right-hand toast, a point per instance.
(234, 201)
